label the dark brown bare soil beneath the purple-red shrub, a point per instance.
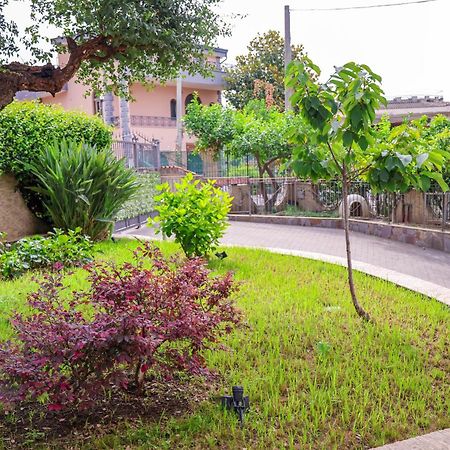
(34, 426)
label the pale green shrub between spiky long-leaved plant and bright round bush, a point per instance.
(142, 201)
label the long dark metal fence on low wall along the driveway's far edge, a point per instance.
(291, 196)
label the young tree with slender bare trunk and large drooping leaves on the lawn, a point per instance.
(341, 113)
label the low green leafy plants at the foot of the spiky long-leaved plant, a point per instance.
(37, 252)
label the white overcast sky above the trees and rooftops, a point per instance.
(407, 45)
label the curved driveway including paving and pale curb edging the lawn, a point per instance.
(423, 270)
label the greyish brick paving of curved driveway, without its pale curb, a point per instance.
(425, 264)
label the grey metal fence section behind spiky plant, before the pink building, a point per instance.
(138, 155)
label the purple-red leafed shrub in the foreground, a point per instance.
(156, 319)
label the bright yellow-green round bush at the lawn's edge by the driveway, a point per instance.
(195, 213)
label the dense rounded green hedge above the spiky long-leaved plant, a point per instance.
(26, 128)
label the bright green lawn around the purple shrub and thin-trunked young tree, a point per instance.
(317, 376)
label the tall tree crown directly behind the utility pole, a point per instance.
(264, 61)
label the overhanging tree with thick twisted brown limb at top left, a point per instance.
(110, 42)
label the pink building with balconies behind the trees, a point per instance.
(153, 114)
